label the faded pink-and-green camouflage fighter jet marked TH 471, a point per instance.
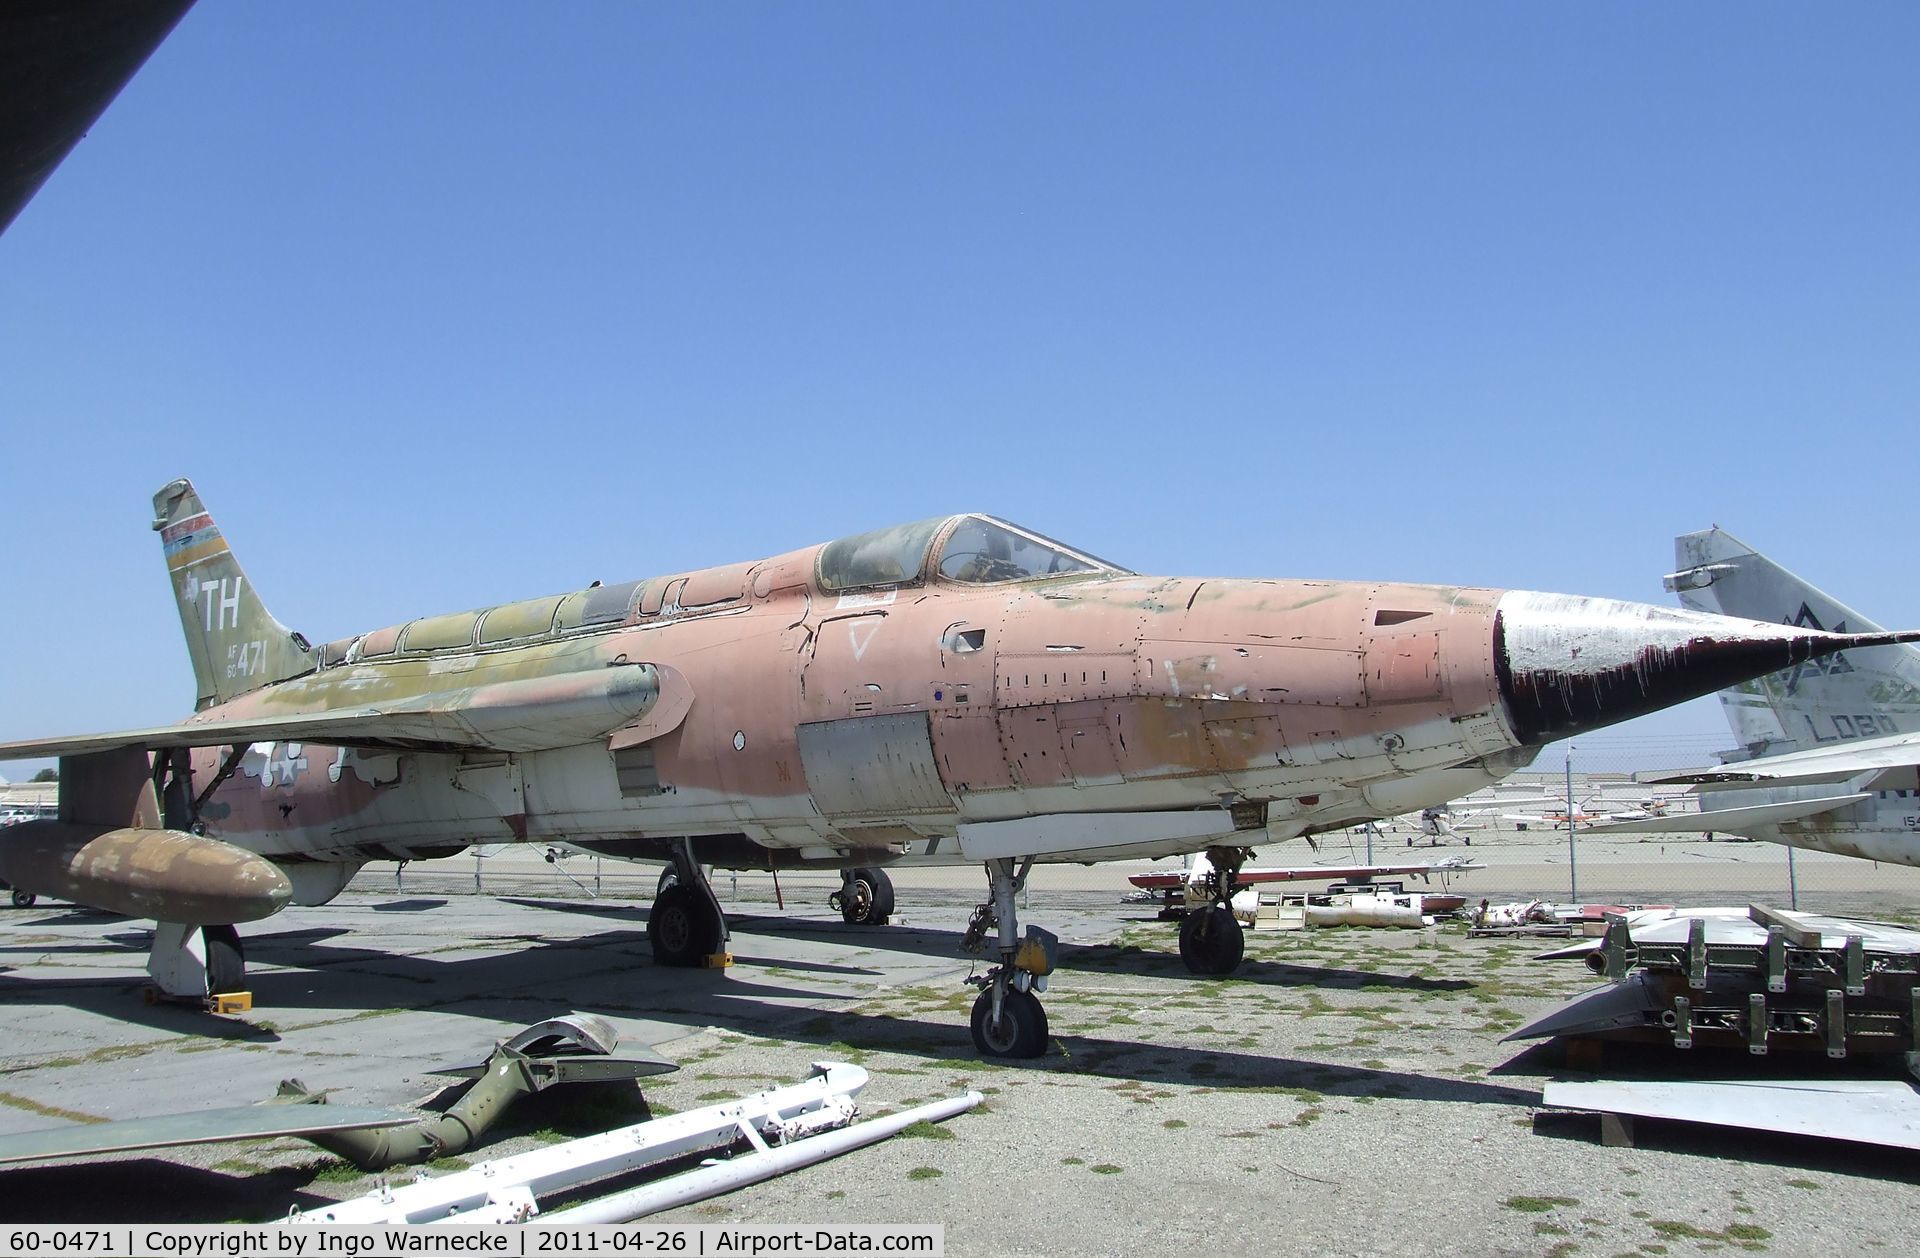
(957, 690)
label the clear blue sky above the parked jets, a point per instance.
(448, 304)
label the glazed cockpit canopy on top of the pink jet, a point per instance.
(974, 550)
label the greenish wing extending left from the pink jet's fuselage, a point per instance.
(629, 702)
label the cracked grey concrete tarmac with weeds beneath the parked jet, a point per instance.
(1345, 1094)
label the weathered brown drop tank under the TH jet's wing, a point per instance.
(145, 873)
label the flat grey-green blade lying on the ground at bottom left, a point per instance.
(249, 1123)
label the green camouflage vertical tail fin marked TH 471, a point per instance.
(235, 642)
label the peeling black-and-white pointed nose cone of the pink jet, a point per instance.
(1568, 664)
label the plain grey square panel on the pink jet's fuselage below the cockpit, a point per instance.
(873, 765)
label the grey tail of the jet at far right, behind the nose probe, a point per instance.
(1854, 694)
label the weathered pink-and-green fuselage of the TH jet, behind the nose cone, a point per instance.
(1086, 694)
